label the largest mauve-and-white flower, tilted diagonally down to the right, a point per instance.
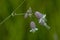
(42, 19)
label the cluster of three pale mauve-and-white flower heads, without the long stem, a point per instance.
(41, 19)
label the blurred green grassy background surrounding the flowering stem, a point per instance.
(17, 28)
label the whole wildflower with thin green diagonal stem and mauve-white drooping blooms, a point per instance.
(41, 18)
